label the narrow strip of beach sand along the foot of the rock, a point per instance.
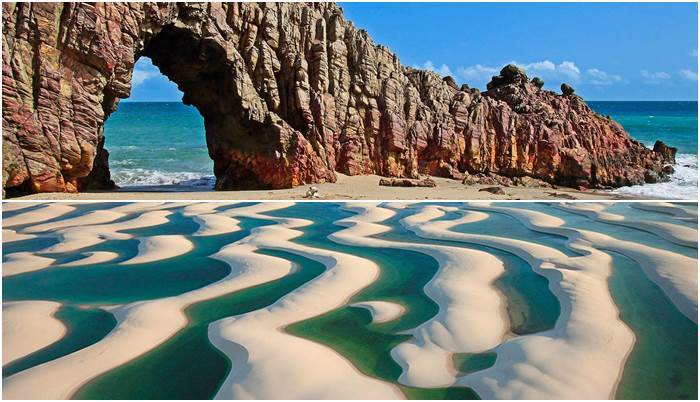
(346, 188)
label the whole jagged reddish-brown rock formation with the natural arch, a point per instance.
(290, 94)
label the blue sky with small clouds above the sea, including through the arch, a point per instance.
(607, 51)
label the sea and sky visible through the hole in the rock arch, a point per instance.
(156, 143)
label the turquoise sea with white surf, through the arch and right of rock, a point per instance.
(163, 143)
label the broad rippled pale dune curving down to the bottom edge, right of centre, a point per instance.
(583, 355)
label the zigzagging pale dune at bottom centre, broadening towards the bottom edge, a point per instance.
(266, 359)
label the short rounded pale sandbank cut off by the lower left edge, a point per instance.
(28, 326)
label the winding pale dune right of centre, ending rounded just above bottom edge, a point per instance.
(471, 310)
